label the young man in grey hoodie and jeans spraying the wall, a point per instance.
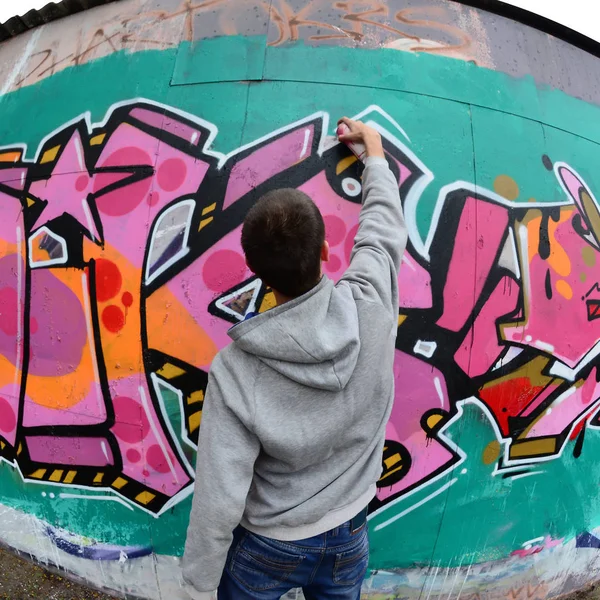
(294, 418)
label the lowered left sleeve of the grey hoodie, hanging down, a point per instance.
(227, 451)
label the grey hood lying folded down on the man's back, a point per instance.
(312, 340)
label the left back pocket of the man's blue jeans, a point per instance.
(261, 564)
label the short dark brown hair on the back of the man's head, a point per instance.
(282, 237)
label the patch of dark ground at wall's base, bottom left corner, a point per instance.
(22, 580)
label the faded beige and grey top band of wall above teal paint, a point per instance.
(511, 44)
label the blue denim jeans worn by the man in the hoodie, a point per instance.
(329, 566)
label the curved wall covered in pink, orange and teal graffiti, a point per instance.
(136, 136)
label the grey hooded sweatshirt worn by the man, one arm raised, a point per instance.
(294, 418)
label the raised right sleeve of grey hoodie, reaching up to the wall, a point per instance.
(381, 237)
